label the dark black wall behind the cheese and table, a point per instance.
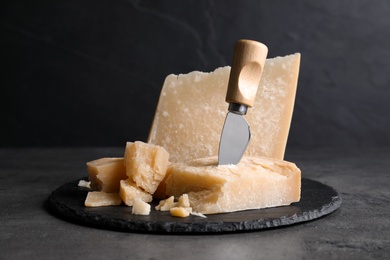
(89, 73)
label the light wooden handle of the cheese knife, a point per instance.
(247, 66)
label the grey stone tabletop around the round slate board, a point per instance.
(359, 229)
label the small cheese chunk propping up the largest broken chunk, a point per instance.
(129, 191)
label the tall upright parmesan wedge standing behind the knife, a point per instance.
(191, 111)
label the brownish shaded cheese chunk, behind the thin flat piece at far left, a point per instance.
(105, 174)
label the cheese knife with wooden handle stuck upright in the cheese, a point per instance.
(245, 75)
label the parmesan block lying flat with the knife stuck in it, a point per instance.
(254, 183)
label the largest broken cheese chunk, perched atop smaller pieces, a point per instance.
(146, 164)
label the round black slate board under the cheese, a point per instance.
(317, 200)
